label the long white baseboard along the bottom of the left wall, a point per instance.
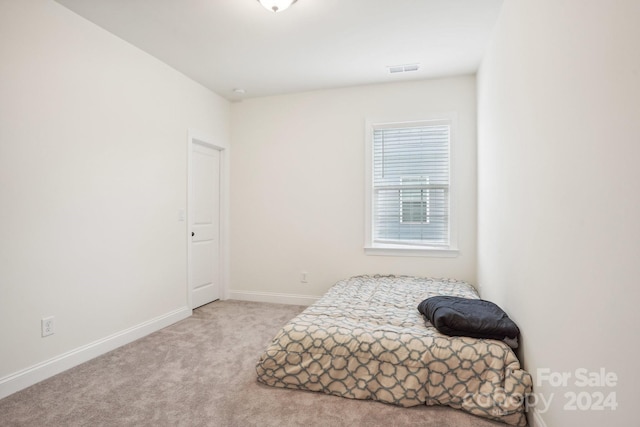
(41, 371)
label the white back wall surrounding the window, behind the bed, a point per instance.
(297, 185)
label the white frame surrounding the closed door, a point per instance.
(197, 137)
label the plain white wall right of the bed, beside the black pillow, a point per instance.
(558, 209)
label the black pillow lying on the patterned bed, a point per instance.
(475, 318)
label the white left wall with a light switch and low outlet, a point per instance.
(93, 155)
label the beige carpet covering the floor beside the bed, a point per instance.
(201, 372)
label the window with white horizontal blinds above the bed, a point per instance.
(408, 187)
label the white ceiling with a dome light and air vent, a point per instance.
(316, 44)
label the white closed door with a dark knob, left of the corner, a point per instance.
(204, 213)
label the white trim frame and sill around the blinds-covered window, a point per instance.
(397, 249)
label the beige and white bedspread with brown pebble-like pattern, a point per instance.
(365, 339)
